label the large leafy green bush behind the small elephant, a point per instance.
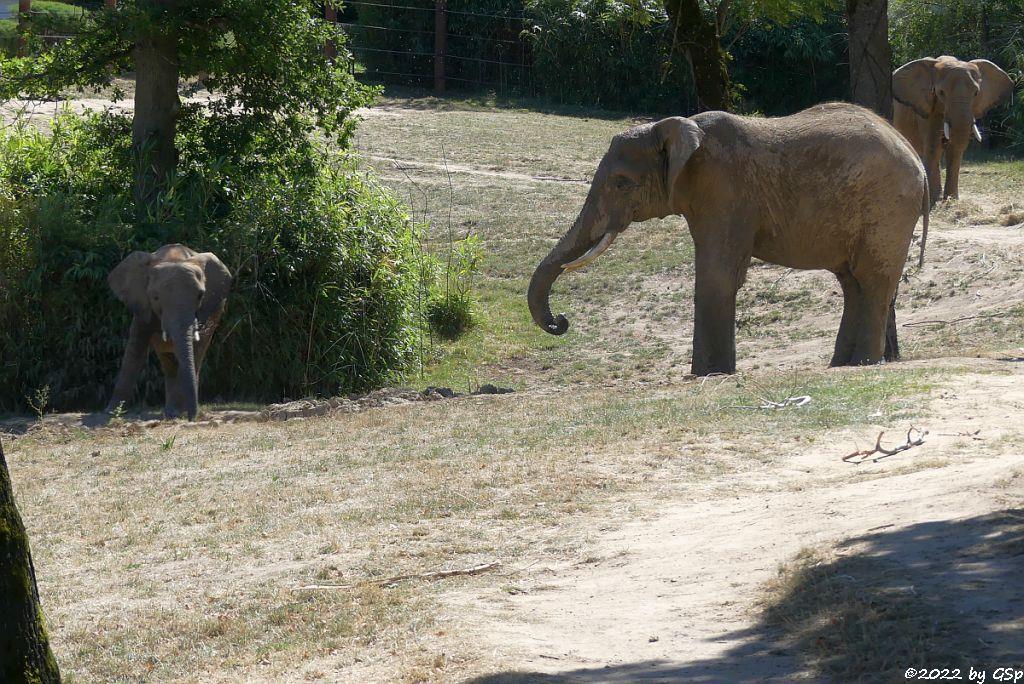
(326, 265)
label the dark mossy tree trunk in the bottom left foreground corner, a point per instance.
(25, 650)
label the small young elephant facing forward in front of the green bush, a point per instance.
(176, 295)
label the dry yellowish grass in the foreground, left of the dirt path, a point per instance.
(185, 559)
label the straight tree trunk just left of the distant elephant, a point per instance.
(871, 56)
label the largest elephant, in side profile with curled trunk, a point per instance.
(833, 188)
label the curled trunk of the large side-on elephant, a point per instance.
(577, 248)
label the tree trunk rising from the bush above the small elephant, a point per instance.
(157, 108)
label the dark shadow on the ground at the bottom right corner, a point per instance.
(943, 594)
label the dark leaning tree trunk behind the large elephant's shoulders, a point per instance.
(697, 37)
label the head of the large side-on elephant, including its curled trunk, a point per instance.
(635, 182)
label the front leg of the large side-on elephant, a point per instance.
(715, 316)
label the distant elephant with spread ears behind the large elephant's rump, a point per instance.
(945, 96)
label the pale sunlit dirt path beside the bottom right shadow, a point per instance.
(674, 601)
